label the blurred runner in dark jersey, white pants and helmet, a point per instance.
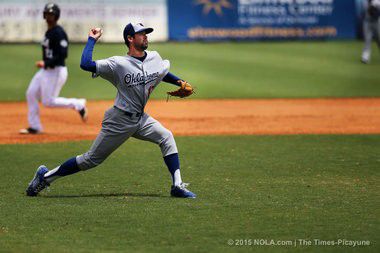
(49, 80)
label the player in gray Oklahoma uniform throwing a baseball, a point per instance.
(135, 76)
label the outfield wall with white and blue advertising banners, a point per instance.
(21, 20)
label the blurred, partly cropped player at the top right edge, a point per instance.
(371, 27)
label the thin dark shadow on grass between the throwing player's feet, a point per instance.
(106, 195)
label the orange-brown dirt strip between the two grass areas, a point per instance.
(208, 117)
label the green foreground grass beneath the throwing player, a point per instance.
(249, 187)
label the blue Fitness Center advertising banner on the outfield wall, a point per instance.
(261, 19)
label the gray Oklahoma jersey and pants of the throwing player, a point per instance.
(134, 81)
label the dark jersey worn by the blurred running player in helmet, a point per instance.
(55, 47)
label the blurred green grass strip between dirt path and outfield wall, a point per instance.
(219, 70)
